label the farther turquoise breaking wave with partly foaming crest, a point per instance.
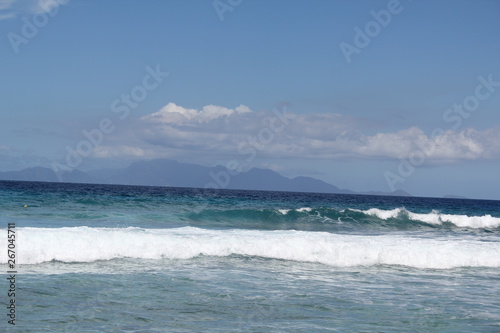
(306, 218)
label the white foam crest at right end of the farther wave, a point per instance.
(435, 217)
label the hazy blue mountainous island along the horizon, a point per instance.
(170, 173)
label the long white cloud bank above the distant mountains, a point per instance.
(217, 131)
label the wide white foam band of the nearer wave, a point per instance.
(84, 244)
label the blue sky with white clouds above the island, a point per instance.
(365, 95)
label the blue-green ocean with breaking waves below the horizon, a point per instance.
(106, 258)
